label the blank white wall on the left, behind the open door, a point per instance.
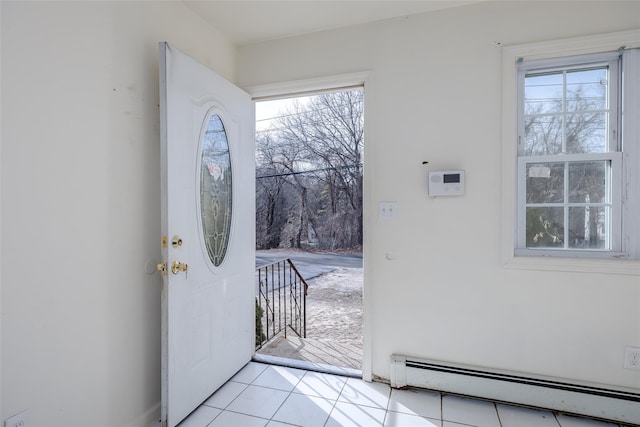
(80, 205)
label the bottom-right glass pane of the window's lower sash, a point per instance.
(587, 227)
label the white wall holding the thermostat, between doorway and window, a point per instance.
(436, 95)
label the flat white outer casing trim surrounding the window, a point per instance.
(534, 51)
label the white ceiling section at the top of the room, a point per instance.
(252, 21)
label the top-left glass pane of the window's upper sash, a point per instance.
(543, 94)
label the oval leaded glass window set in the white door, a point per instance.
(215, 189)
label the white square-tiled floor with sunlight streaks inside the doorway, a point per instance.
(275, 396)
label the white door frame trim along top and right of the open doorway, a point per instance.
(319, 84)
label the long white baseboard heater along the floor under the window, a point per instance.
(621, 405)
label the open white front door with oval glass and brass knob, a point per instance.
(208, 222)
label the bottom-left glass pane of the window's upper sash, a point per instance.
(543, 135)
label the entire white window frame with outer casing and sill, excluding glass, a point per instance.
(624, 256)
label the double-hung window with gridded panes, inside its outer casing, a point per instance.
(568, 161)
